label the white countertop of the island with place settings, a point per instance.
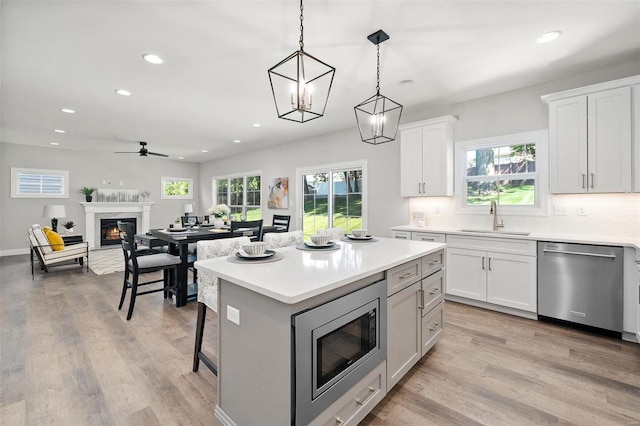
(303, 274)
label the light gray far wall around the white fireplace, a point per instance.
(85, 169)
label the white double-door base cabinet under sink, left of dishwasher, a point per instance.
(493, 276)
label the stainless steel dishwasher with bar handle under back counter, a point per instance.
(581, 283)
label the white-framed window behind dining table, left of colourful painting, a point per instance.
(241, 194)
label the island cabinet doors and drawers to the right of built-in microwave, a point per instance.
(415, 313)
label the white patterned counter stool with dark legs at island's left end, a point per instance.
(208, 291)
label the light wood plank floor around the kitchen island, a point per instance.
(69, 357)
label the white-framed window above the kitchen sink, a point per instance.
(503, 169)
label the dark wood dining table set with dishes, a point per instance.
(179, 241)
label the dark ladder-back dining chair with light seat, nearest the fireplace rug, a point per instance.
(137, 265)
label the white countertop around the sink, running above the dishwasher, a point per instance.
(537, 236)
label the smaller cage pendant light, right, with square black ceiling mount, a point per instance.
(378, 117)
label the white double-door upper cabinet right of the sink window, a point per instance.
(590, 139)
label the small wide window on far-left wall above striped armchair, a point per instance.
(39, 183)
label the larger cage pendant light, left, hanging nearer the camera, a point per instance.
(301, 84)
